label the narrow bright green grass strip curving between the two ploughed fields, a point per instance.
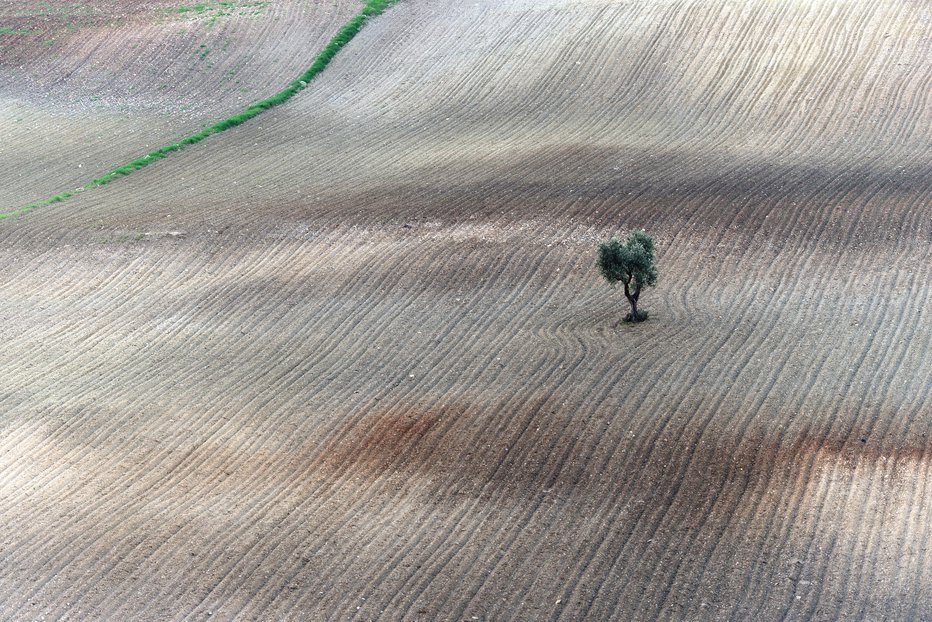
(345, 34)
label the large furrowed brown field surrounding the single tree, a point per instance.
(352, 359)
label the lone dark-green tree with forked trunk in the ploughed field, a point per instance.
(630, 261)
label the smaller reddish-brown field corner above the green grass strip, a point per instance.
(90, 86)
